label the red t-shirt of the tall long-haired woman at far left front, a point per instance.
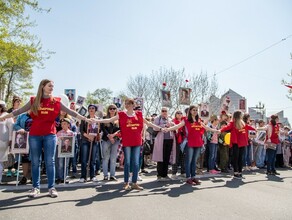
(44, 122)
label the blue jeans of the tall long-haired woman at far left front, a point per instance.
(37, 144)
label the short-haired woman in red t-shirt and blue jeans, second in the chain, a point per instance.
(131, 125)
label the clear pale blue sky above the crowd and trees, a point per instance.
(99, 44)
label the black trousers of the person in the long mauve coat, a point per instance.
(162, 167)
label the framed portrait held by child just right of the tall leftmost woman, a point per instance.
(66, 146)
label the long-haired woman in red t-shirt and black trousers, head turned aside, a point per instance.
(238, 140)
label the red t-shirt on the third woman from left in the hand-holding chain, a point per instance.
(195, 133)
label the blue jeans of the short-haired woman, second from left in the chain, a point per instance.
(131, 155)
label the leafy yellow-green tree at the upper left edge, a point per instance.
(20, 50)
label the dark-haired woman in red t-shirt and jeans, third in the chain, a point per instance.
(195, 129)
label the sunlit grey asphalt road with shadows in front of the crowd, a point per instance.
(219, 197)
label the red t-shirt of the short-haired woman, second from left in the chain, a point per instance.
(131, 129)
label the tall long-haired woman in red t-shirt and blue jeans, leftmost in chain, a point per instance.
(44, 110)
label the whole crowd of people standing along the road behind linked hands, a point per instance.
(224, 143)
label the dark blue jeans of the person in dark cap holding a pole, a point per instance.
(85, 148)
